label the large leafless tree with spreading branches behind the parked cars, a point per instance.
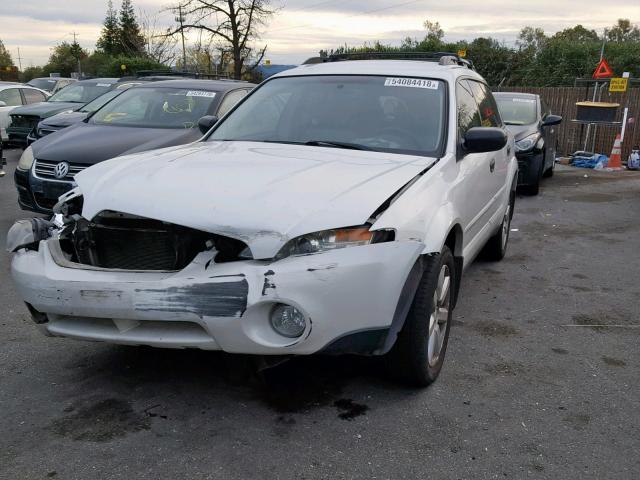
(233, 24)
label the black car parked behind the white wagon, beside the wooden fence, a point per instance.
(532, 125)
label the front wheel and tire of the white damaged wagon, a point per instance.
(418, 354)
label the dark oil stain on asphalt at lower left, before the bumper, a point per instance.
(100, 422)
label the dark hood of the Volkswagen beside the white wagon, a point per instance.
(90, 144)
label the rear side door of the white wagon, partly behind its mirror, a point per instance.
(498, 161)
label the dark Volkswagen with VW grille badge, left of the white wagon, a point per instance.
(146, 117)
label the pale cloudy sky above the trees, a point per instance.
(302, 27)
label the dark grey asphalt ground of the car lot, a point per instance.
(541, 378)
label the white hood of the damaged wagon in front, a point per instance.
(261, 193)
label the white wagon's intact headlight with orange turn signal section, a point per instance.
(333, 239)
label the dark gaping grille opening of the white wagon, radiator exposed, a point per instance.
(121, 241)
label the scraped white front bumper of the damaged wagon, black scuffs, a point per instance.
(345, 293)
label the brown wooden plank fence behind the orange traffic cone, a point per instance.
(571, 135)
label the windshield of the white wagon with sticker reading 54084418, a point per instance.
(401, 115)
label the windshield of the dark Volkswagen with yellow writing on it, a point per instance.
(156, 107)
